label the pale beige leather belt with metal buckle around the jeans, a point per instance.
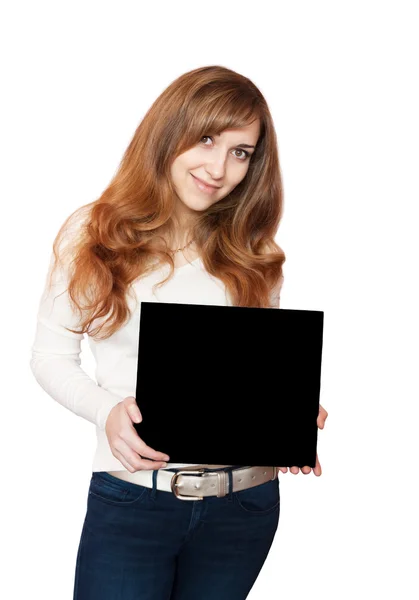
(192, 483)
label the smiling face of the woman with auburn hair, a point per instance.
(221, 161)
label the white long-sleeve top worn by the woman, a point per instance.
(55, 359)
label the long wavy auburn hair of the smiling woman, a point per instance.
(107, 244)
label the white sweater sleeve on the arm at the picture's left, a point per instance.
(55, 360)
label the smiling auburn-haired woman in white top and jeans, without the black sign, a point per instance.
(190, 216)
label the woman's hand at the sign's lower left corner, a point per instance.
(124, 441)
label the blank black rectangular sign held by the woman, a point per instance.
(230, 385)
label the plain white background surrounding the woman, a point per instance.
(341, 80)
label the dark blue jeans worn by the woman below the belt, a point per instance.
(141, 543)
